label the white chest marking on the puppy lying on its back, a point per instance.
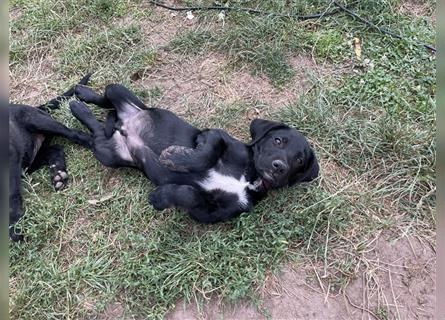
(218, 181)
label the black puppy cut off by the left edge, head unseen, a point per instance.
(30, 132)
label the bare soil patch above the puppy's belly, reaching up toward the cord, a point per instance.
(195, 83)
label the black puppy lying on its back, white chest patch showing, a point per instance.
(210, 174)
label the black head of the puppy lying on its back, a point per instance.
(282, 155)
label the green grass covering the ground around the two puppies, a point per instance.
(99, 242)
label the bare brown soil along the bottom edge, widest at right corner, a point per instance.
(397, 282)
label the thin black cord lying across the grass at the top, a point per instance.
(339, 8)
